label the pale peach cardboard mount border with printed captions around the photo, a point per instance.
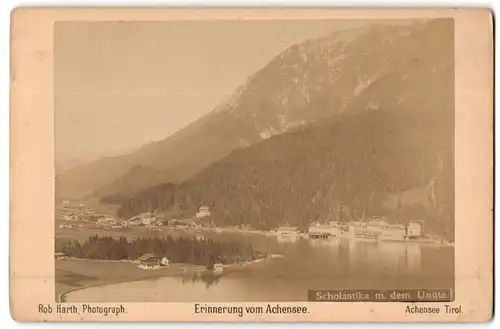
(32, 167)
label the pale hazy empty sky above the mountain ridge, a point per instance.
(119, 85)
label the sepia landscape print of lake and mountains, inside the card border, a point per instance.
(253, 160)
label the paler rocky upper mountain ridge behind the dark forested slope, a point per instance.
(375, 67)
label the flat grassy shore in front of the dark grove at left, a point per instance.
(79, 274)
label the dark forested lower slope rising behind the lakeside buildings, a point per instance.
(357, 160)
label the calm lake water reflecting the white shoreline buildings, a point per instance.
(335, 263)
